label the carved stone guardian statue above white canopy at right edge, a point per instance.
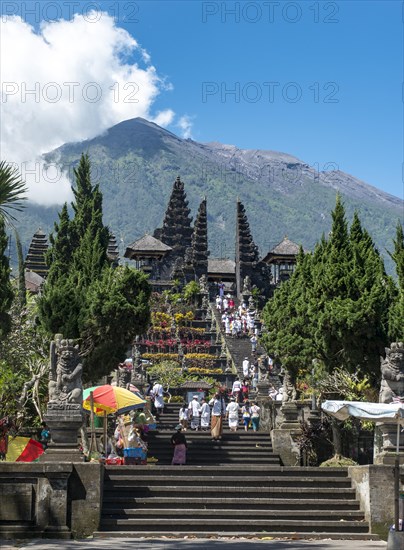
(392, 367)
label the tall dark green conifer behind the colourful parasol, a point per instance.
(84, 297)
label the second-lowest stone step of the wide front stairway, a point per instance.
(223, 525)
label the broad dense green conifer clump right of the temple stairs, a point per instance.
(334, 307)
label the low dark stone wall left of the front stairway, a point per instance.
(50, 500)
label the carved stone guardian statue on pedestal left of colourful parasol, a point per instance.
(65, 372)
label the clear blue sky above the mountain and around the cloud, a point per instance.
(319, 80)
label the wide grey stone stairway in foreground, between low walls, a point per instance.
(248, 500)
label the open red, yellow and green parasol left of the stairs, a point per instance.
(112, 399)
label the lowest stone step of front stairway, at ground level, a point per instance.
(295, 535)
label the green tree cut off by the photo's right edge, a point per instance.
(396, 313)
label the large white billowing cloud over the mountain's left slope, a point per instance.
(69, 82)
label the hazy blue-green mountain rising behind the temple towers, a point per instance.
(136, 163)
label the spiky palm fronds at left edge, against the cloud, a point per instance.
(12, 189)
